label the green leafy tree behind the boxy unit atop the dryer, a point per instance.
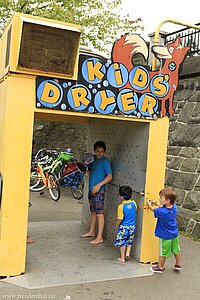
(100, 20)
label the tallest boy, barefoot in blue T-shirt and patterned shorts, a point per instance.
(99, 175)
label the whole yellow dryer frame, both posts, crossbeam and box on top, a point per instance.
(19, 69)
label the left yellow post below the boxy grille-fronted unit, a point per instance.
(17, 107)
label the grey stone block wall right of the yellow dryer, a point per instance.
(183, 155)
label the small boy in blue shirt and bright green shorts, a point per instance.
(166, 228)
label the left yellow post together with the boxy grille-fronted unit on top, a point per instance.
(23, 56)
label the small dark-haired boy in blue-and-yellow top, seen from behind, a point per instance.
(126, 223)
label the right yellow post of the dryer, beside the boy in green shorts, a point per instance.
(155, 176)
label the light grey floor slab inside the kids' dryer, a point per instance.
(60, 257)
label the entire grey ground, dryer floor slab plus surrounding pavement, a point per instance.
(60, 265)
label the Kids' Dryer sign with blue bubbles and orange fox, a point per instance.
(116, 86)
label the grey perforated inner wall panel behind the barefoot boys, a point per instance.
(127, 150)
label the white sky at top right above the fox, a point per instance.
(153, 12)
